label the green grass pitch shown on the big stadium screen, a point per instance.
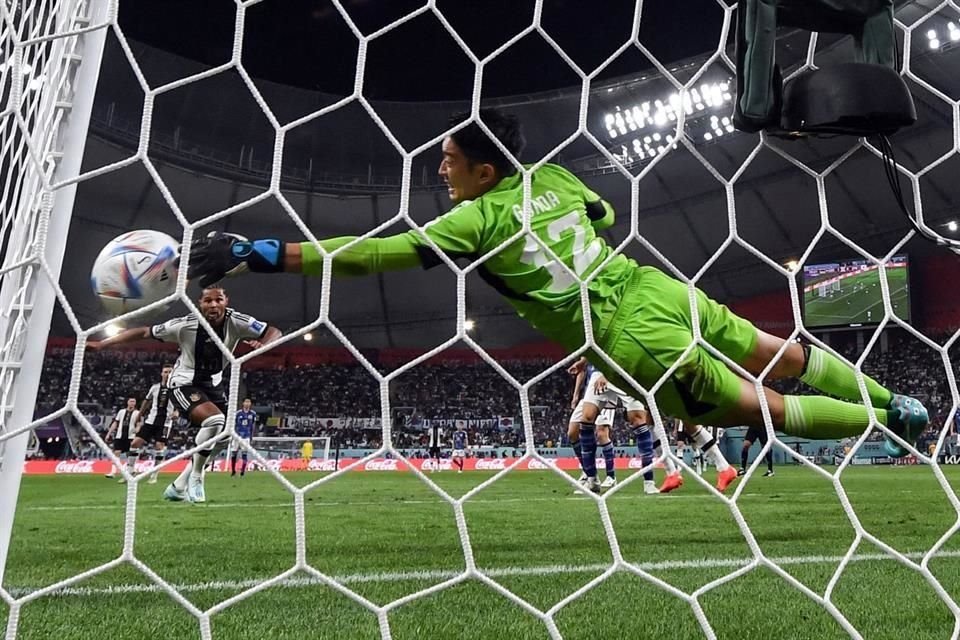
(851, 305)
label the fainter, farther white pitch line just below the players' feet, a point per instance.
(280, 505)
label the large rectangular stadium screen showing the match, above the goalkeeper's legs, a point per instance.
(848, 294)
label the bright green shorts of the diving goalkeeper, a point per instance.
(652, 330)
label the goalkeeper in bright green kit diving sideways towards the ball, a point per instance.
(640, 315)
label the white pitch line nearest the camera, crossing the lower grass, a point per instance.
(437, 575)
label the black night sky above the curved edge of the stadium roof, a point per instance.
(307, 44)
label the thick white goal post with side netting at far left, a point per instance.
(53, 53)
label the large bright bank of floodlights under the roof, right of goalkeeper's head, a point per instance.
(661, 112)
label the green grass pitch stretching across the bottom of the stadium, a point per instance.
(387, 535)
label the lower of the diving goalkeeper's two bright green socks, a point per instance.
(817, 417)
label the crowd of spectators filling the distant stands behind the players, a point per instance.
(441, 390)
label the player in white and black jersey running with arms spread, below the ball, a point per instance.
(197, 377)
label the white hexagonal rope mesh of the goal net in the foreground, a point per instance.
(45, 44)
